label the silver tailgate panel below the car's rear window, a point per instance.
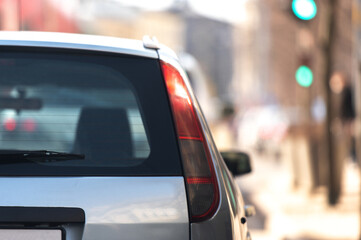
(127, 207)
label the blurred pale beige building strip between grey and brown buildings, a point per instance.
(251, 78)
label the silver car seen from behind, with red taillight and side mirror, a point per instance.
(102, 138)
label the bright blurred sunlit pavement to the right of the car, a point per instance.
(284, 213)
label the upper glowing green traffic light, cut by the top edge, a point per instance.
(304, 9)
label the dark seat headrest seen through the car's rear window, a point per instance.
(103, 135)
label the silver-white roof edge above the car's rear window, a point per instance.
(76, 41)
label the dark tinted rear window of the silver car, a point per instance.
(112, 108)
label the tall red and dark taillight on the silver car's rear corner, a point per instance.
(201, 183)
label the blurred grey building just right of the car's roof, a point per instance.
(211, 42)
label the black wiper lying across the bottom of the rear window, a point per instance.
(22, 156)
